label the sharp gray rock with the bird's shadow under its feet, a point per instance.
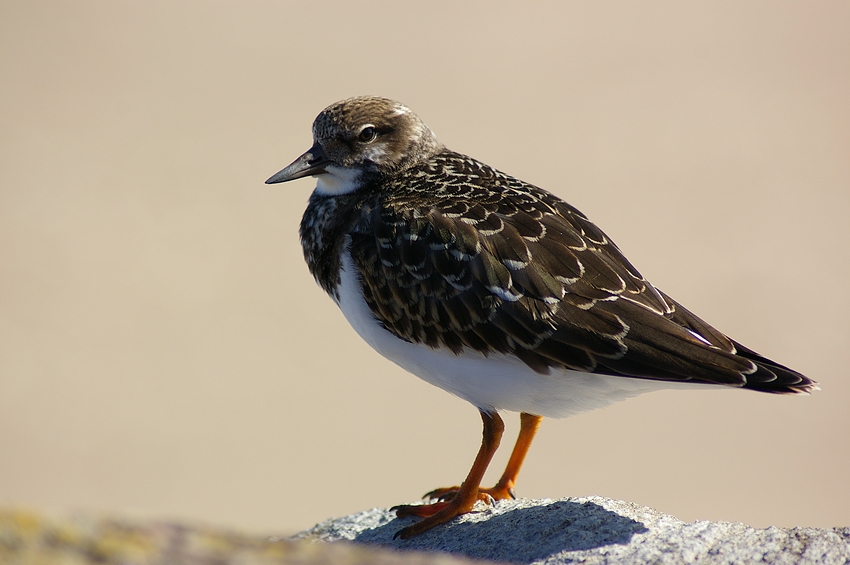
(592, 530)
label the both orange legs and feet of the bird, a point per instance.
(455, 501)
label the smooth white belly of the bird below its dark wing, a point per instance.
(496, 382)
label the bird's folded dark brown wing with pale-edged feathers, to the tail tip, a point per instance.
(512, 269)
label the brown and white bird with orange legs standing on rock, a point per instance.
(493, 289)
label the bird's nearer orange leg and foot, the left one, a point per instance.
(466, 495)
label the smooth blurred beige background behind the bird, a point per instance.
(165, 353)
